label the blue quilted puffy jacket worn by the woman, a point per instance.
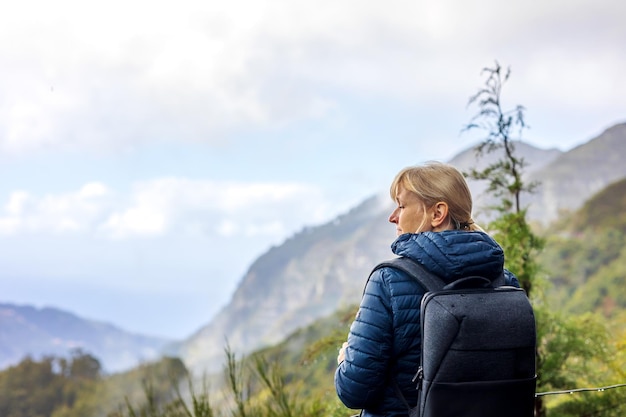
(384, 339)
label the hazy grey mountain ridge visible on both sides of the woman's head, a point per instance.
(325, 268)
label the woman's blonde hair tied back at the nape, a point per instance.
(436, 182)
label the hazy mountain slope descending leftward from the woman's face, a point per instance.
(307, 277)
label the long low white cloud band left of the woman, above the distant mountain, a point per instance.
(169, 206)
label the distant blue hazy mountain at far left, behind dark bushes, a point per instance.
(26, 330)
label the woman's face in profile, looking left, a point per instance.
(410, 216)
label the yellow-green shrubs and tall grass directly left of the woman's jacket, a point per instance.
(293, 378)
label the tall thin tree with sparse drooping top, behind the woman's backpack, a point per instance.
(503, 129)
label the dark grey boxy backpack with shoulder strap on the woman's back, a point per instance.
(478, 347)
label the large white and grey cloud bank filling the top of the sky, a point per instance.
(110, 75)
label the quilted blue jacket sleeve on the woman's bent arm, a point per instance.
(361, 378)
